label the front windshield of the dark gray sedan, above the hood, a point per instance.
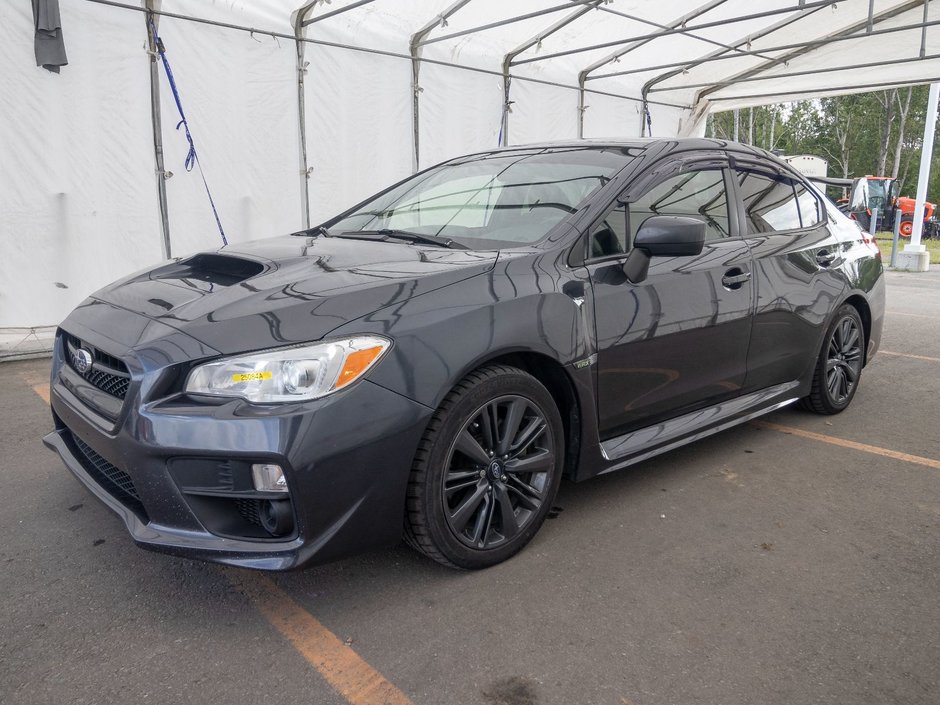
(499, 199)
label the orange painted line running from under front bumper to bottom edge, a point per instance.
(343, 668)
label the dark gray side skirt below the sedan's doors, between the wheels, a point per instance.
(645, 443)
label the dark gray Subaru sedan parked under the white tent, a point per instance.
(433, 361)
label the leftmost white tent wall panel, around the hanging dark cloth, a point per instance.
(78, 206)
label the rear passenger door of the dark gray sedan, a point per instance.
(797, 276)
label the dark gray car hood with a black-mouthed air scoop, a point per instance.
(289, 289)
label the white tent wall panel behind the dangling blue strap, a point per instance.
(238, 92)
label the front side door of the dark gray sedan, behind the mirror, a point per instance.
(678, 340)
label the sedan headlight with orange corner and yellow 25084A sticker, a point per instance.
(289, 374)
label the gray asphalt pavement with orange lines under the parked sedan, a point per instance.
(795, 562)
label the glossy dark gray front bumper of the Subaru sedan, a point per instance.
(347, 458)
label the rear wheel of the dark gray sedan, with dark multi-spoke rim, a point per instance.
(839, 367)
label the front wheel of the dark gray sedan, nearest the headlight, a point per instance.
(479, 489)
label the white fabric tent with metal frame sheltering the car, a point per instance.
(386, 86)
